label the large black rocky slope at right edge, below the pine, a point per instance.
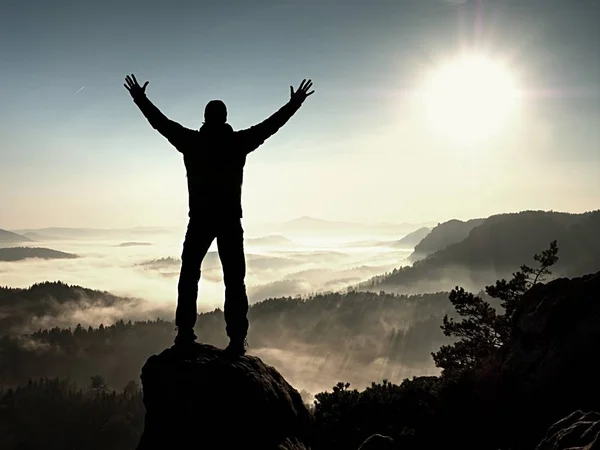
(548, 369)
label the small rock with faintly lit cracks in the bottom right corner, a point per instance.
(577, 431)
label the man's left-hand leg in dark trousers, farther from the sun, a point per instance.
(198, 239)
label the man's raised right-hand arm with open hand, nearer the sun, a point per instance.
(258, 134)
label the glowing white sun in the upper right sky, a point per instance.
(470, 98)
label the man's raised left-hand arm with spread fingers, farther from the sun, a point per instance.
(173, 131)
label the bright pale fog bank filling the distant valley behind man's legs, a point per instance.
(145, 264)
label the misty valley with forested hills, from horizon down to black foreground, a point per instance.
(328, 304)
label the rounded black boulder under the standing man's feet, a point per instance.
(202, 398)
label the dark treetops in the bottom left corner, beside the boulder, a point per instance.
(55, 414)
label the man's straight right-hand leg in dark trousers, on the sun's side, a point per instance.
(230, 242)
